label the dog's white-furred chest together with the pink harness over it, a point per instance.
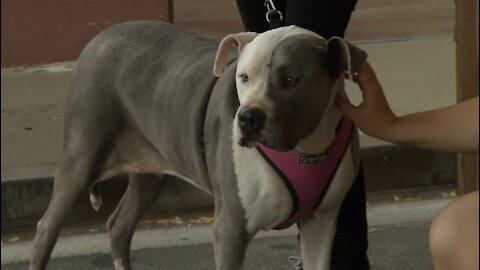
(278, 189)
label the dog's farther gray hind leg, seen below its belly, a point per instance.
(142, 192)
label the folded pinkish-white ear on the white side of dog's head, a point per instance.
(238, 40)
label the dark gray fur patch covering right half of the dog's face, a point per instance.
(298, 108)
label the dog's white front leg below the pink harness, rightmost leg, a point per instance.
(316, 240)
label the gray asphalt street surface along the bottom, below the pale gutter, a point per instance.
(391, 248)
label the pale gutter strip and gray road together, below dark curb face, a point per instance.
(398, 243)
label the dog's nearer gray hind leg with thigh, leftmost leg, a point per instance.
(92, 123)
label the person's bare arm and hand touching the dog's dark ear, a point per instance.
(453, 128)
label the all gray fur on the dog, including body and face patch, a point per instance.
(144, 101)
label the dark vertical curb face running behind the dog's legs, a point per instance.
(386, 167)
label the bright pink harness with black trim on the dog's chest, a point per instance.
(308, 176)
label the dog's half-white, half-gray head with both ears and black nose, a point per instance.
(285, 78)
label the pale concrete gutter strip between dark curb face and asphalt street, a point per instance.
(380, 217)
